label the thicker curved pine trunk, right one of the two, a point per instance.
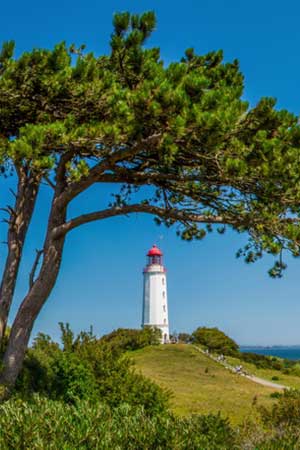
(33, 302)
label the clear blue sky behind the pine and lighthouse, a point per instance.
(101, 277)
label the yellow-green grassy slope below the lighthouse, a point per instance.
(199, 384)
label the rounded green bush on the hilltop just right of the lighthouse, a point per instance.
(215, 341)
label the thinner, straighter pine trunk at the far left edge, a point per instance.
(20, 218)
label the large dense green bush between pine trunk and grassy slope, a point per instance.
(87, 368)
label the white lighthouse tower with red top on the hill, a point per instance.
(155, 304)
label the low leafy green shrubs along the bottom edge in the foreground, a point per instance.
(45, 424)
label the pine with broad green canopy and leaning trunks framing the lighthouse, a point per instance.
(71, 119)
